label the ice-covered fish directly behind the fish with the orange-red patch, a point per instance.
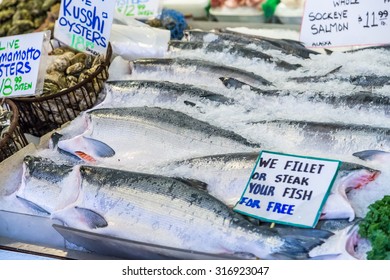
(167, 91)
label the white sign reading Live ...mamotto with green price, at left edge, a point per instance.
(20, 60)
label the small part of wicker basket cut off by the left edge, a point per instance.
(13, 140)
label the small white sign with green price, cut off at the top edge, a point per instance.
(138, 8)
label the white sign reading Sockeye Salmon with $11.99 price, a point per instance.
(331, 23)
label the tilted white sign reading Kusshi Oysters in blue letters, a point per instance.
(85, 25)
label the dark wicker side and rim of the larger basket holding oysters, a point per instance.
(42, 114)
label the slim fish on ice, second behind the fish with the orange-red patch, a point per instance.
(211, 69)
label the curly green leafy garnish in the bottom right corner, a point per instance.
(376, 228)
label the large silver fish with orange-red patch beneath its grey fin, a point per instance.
(149, 135)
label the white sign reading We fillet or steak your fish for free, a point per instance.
(288, 189)
